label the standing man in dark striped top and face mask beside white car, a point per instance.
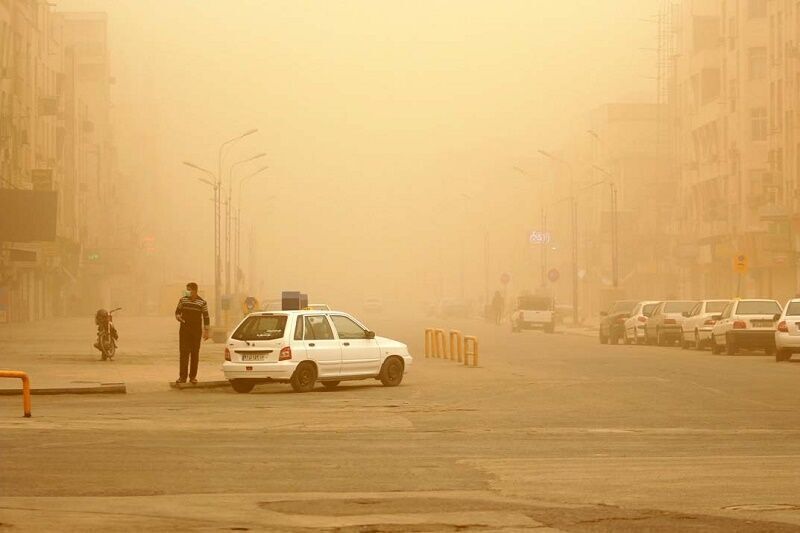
(192, 313)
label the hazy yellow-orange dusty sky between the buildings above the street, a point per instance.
(368, 110)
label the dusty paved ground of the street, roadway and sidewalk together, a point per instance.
(552, 431)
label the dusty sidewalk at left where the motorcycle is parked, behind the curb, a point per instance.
(58, 353)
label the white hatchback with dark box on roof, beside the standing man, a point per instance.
(304, 347)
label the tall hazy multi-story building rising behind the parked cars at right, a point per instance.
(722, 130)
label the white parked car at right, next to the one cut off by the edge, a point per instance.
(745, 324)
